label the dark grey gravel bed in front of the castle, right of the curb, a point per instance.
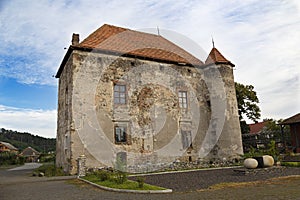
(203, 179)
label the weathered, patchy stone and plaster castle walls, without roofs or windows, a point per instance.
(154, 120)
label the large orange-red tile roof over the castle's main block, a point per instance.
(125, 41)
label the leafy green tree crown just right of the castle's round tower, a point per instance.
(247, 102)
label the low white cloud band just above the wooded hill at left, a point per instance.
(36, 122)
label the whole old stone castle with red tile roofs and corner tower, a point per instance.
(137, 97)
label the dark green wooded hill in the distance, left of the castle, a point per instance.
(23, 140)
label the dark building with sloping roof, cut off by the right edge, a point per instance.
(294, 123)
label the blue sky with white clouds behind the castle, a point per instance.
(262, 38)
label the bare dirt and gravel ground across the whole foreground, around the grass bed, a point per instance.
(199, 185)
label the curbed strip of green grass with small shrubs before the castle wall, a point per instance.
(128, 184)
